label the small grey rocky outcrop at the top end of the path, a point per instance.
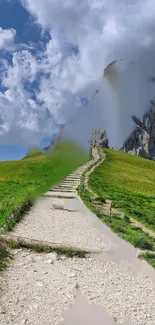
(99, 139)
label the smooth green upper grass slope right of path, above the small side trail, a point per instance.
(129, 182)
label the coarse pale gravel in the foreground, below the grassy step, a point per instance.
(42, 287)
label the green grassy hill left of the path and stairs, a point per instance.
(31, 176)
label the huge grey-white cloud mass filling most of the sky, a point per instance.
(86, 35)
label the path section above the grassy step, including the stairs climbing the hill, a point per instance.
(57, 225)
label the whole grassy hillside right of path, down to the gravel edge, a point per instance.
(129, 182)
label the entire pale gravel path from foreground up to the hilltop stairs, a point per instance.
(47, 289)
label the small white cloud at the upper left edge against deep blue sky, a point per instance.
(7, 38)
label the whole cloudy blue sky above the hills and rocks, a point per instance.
(52, 57)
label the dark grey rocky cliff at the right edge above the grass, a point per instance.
(142, 140)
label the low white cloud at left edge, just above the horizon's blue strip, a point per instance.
(22, 121)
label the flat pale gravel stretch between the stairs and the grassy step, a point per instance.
(63, 227)
